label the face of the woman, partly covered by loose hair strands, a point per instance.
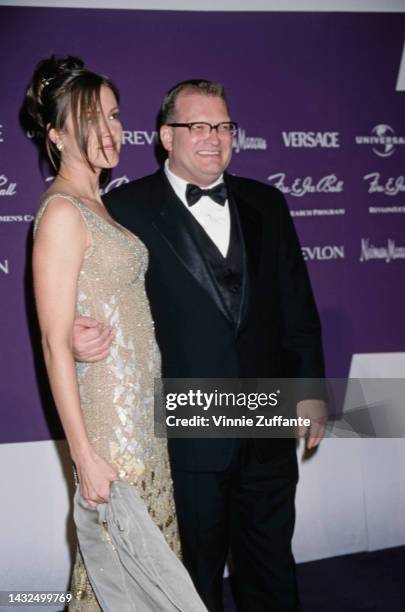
(101, 157)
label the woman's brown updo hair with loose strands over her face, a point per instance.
(60, 85)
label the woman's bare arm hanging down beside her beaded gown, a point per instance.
(59, 248)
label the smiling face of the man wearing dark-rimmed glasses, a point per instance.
(196, 159)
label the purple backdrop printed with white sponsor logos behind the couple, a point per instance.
(314, 95)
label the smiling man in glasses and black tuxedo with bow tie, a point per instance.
(231, 298)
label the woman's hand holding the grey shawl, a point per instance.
(95, 477)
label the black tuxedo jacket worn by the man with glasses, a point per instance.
(278, 332)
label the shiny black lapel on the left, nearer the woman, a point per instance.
(172, 221)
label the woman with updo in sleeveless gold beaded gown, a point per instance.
(85, 264)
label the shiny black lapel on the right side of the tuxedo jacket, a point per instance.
(249, 220)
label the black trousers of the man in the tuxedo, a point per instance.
(247, 510)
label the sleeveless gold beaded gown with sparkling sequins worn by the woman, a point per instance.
(117, 394)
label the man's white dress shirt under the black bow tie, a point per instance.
(213, 218)
